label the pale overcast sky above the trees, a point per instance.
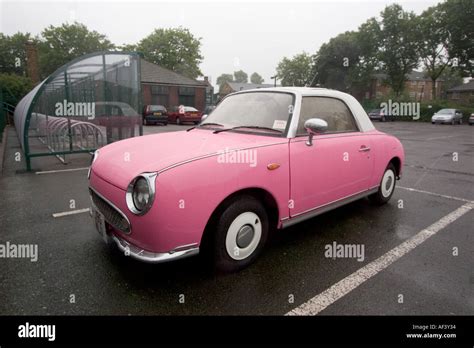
(248, 35)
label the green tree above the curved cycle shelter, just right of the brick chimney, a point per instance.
(60, 45)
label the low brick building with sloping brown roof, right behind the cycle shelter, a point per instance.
(164, 87)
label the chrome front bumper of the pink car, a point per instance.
(150, 257)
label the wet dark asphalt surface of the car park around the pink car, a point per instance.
(76, 273)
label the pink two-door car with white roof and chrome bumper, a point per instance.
(263, 160)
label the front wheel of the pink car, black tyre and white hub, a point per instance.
(240, 234)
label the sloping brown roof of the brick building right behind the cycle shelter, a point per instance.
(152, 73)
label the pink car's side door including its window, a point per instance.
(338, 165)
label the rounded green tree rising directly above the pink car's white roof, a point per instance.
(295, 71)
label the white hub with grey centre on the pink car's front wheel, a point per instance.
(243, 236)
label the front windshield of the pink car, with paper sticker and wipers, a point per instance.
(258, 110)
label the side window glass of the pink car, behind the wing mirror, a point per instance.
(334, 111)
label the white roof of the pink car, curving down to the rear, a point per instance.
(362, 119)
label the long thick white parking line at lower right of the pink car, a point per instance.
(346, 285)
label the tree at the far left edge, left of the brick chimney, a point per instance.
(13, 53)
